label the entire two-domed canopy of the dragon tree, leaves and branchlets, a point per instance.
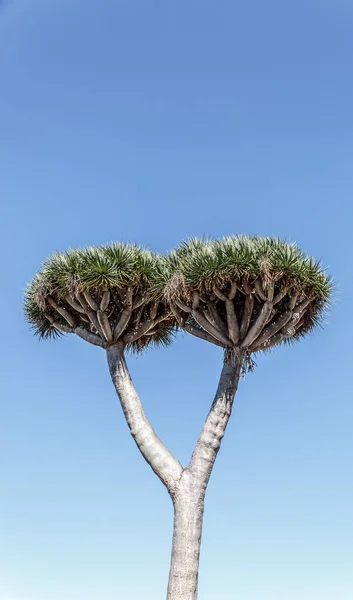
(240, 291)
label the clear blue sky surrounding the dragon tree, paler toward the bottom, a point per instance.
(152, 122)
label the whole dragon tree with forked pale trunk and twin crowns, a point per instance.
(243, 294)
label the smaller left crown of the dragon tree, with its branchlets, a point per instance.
(103, 294)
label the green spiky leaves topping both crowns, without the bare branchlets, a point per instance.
(196, 265)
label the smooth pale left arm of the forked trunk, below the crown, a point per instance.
(160, 459)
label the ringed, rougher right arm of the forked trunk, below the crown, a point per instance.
(209, 442)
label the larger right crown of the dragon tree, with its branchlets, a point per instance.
(248, 292)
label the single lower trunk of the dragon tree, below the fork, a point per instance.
(188, 516)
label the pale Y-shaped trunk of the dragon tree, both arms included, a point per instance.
(186, 486)
